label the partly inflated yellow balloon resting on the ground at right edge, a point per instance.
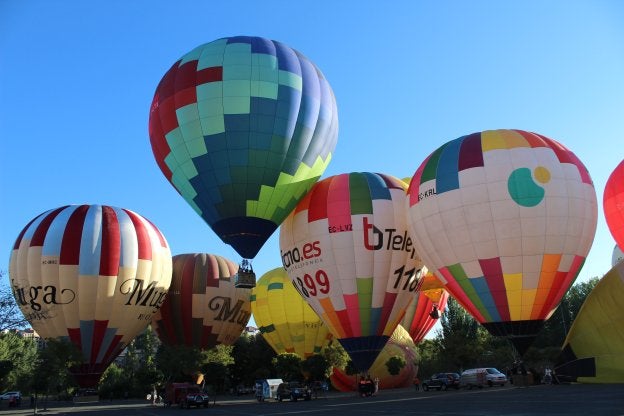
(593, 351)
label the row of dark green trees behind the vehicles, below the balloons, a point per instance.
(460, 343)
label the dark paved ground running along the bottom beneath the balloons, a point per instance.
(572, 399)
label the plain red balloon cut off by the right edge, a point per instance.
(613, 204)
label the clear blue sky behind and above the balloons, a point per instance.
(77, 79)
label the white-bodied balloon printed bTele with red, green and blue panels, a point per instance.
(346, 249)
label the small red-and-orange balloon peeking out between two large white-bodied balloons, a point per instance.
(422, 314)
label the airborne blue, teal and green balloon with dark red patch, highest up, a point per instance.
(242, 127)
